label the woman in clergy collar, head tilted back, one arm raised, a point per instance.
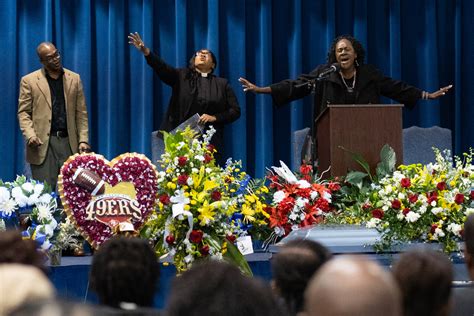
(195, 90)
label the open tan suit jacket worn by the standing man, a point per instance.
(35, 112)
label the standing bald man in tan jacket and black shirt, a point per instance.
(52, 115)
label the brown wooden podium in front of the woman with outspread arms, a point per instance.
(360, 128)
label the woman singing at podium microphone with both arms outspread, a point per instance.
(354, 83)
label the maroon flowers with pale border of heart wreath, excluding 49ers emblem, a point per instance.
(130, 167)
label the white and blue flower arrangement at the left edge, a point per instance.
(30, 206)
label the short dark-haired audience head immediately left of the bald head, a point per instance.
(292, 268)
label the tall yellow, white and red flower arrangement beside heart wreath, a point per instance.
(197, 200)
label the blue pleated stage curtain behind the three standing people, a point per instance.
(426, 43)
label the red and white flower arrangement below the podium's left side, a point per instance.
(298, 200)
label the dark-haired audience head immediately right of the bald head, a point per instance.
(425, 279)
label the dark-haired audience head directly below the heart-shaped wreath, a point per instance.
(125, 270)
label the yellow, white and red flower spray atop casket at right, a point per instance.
(422, 203)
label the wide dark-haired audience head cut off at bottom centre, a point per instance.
(215, 288)
